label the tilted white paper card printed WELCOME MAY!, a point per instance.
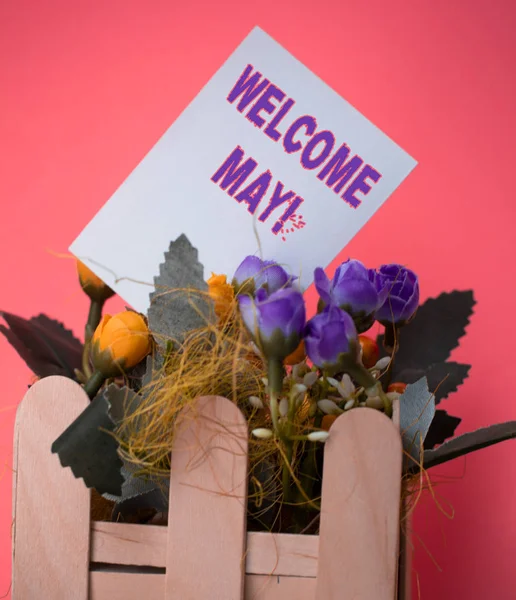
(265, 151)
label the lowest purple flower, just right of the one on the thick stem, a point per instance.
(331, 339)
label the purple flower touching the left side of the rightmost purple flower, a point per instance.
(355, 289)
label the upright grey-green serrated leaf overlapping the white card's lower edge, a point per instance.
(173, 312)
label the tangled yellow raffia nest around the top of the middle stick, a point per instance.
(215, 360)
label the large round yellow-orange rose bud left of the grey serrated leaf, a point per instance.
(120, 342)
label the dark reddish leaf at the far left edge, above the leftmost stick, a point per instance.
(44, 344)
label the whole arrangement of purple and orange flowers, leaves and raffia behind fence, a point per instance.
(249, 339)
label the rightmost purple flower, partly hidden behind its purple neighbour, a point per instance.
(402, 294)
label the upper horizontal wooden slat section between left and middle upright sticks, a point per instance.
(128, 544)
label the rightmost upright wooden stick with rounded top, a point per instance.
(358, 545)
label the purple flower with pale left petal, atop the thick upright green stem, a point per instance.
(275, 321)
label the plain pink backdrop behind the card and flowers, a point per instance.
(87, 88)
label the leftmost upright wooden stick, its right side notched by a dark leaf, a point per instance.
(51, 508)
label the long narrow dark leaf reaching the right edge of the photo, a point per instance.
(469, 442)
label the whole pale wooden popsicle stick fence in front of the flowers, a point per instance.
(205, 551)
